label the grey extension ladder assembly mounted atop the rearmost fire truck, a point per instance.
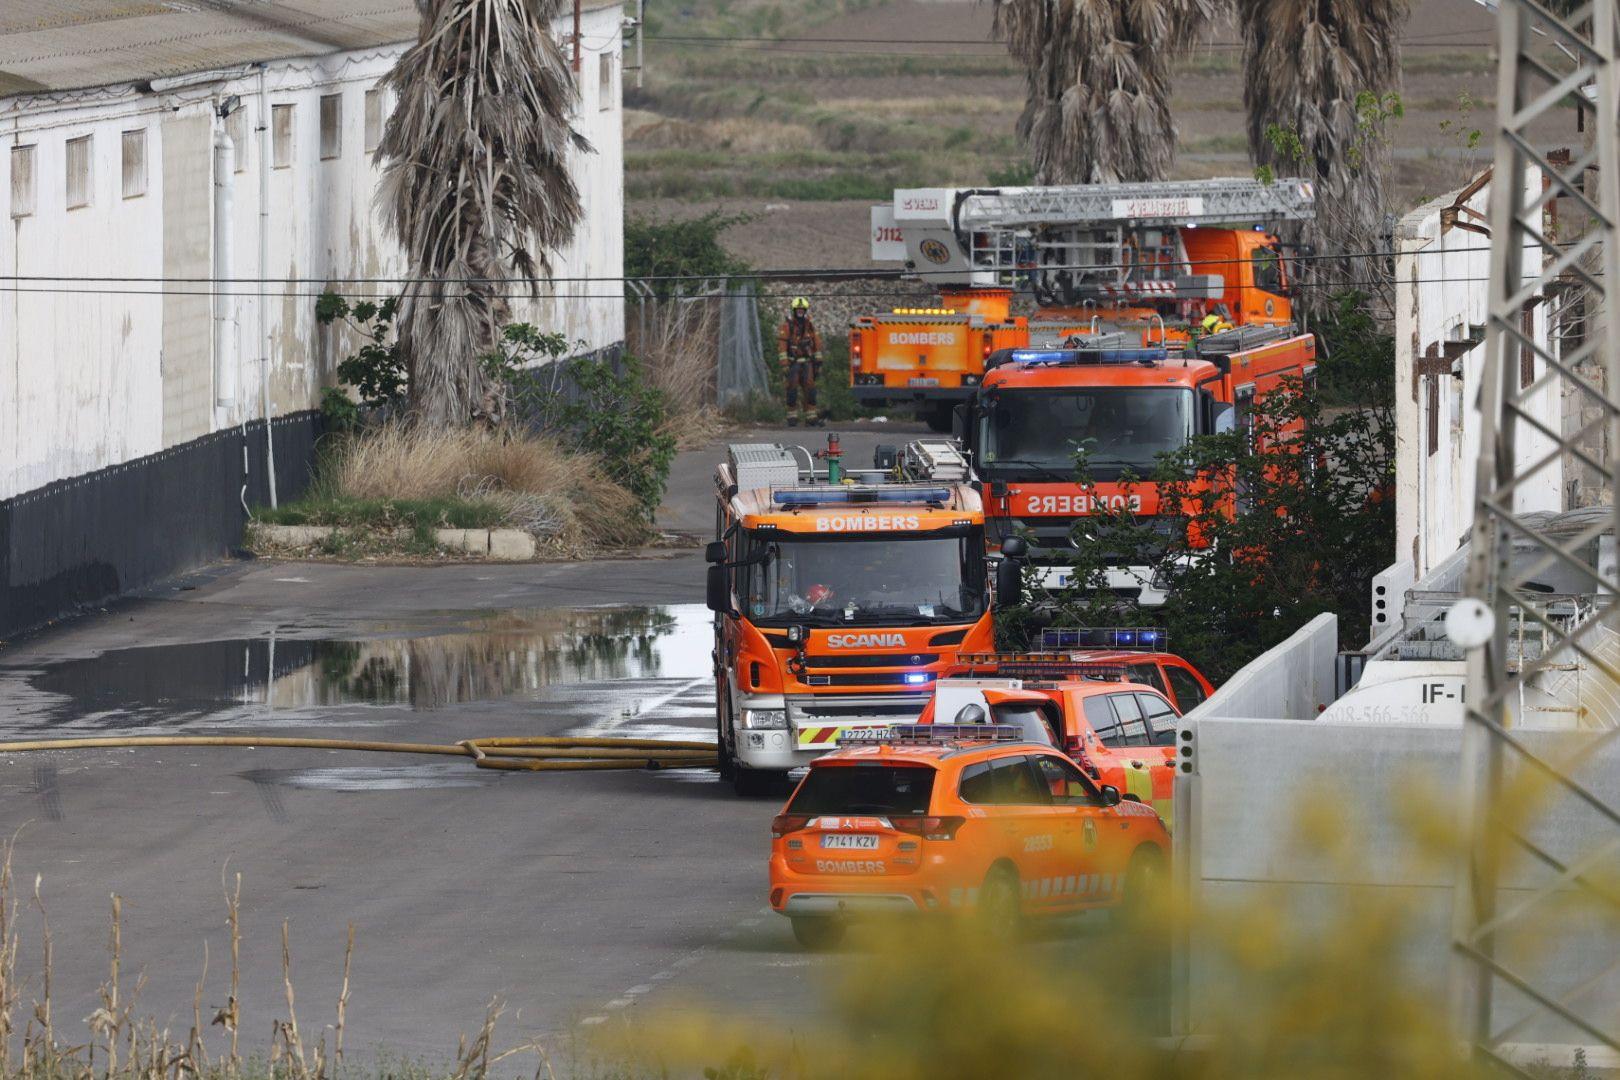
(1081, 244)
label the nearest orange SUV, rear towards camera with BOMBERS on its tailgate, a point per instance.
(957, 819)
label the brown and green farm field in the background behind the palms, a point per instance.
(804, 124)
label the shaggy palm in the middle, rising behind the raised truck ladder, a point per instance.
(1099, 83)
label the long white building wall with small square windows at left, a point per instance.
(83, 365)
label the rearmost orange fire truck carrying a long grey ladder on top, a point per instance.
(1148, 261)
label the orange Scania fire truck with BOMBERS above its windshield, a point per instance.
(838, 600)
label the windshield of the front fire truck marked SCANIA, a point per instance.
(885, 579)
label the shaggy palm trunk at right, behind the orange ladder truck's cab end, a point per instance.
(1319, 87)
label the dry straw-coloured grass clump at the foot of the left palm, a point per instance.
(563, 498)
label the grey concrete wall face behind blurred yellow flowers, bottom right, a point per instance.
(1253, 781)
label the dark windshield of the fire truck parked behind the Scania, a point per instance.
(1036, 435)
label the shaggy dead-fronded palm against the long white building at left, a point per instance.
(477, 189)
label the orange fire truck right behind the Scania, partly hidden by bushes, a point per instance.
(1122, 406)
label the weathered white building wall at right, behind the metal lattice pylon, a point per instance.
(1443, 271)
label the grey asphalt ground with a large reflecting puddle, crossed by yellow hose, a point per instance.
(578, 899)
